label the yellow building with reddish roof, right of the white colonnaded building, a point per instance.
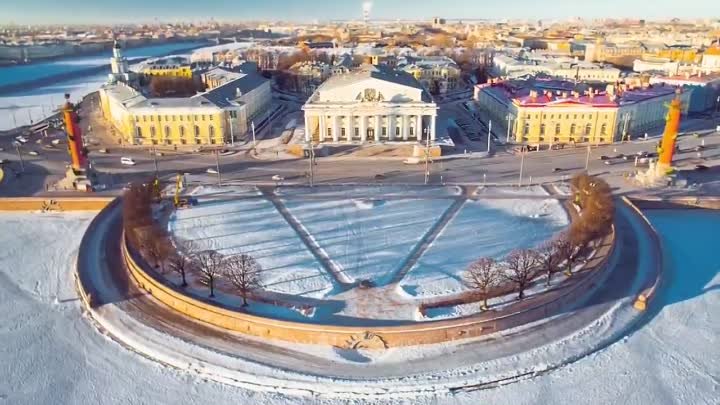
(548, 112)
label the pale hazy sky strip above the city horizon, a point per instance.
(104, 11)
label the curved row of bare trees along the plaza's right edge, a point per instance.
(521, 266)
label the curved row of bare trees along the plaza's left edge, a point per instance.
(151, 240)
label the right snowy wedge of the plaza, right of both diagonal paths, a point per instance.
(487, 227)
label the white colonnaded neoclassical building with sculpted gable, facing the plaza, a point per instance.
(373, 104)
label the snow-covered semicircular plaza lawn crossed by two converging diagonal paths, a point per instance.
(416, 241)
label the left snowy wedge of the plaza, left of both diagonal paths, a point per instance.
(248, 223)
